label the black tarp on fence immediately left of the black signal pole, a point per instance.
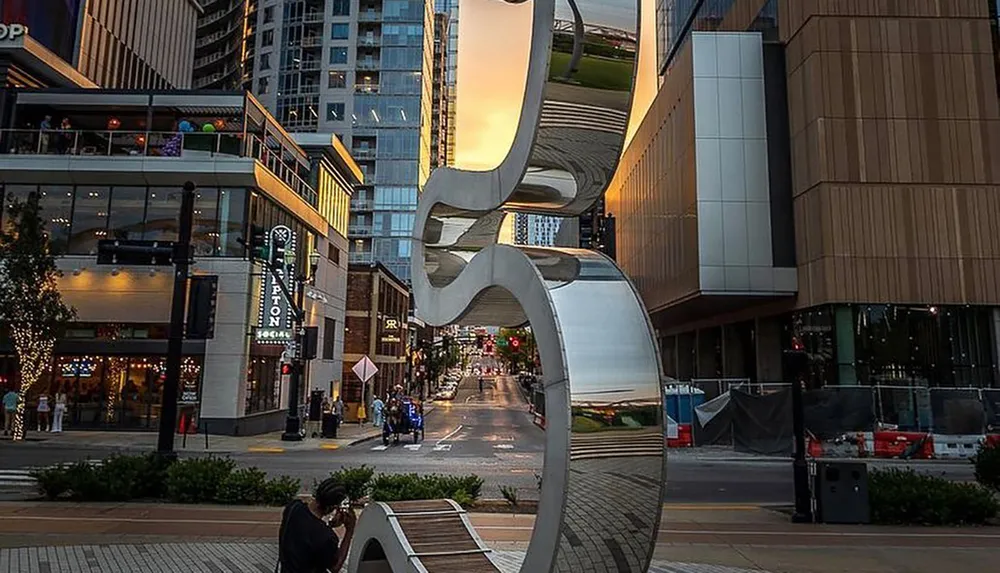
(762, 424)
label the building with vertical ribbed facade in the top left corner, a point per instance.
(117, 44)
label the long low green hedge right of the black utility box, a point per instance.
(905, 497)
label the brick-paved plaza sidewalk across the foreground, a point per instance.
(693, 538)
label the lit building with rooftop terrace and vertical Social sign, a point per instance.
(118, 174)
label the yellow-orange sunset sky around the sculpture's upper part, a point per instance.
(493, 54)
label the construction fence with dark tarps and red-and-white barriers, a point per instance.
(841, 421)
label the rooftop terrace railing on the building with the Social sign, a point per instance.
(141, 144)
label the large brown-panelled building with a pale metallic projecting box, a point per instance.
(819, 175)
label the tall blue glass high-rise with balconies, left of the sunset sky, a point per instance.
(361, 69)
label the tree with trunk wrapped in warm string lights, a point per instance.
(30, 304)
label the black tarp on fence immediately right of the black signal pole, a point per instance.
(836, 410)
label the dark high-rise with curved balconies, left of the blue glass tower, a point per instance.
(222, 39)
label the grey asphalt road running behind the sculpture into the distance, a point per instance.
(490, 434)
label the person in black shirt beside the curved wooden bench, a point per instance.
(307, 542)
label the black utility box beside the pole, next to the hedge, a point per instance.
(841, 492)
